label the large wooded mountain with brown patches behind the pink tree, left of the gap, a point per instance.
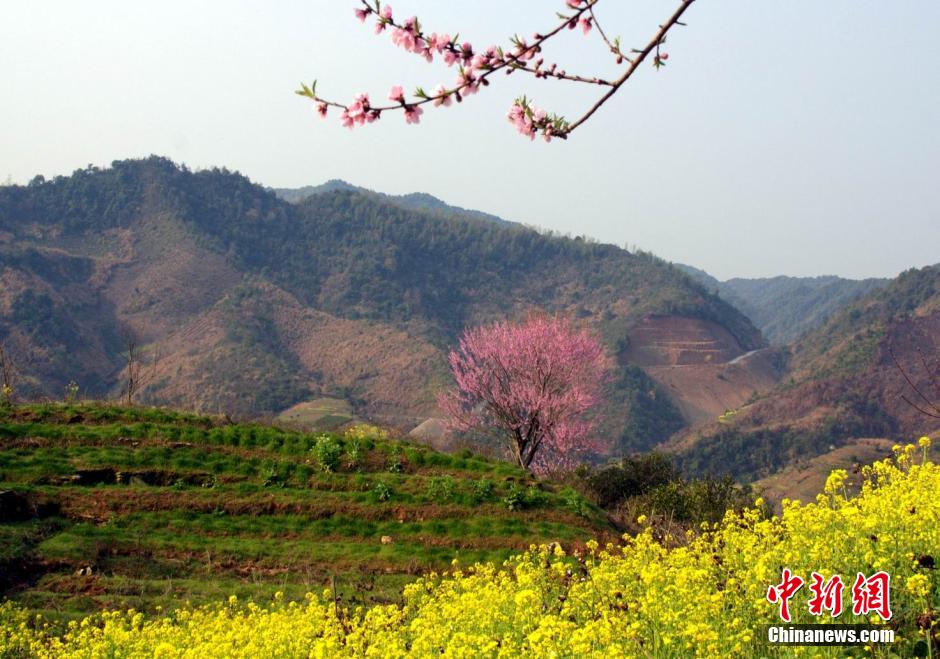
(245, 303)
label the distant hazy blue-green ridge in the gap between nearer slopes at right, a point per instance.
(785, 308)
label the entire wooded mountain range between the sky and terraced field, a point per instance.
(326, 303)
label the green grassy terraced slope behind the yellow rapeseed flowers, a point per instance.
(107, 507)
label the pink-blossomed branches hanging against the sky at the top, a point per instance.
(476, 67)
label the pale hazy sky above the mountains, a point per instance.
(785, 137)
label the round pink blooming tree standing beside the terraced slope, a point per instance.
(530, 385)
